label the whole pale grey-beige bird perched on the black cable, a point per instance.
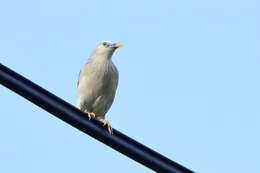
(97, 83)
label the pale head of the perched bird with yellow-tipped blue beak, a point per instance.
(105, 48)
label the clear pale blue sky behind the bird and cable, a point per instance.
(189, 83)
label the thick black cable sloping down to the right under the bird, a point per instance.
(79, 120)
